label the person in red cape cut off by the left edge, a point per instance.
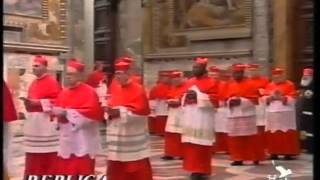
(9, 115)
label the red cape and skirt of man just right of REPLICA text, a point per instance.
(134, 99)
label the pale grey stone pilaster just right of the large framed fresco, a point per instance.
(261, 38)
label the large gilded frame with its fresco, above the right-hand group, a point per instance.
(175, 24)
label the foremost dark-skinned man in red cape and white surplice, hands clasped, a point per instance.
(198, 102)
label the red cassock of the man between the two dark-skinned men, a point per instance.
(221, 144)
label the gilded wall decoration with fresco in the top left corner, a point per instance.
(44, 22)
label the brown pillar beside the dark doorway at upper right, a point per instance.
(282, 35)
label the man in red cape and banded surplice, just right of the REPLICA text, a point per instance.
(127, 134)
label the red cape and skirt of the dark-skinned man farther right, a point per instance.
(246, 147)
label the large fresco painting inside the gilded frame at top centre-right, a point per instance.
(209, 14)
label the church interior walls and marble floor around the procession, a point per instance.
(159, 35)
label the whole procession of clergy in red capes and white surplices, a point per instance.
(236, 111)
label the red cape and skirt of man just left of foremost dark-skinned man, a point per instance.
(172, 142)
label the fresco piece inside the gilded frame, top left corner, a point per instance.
(23, 7)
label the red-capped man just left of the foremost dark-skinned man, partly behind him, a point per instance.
(172, 142)
